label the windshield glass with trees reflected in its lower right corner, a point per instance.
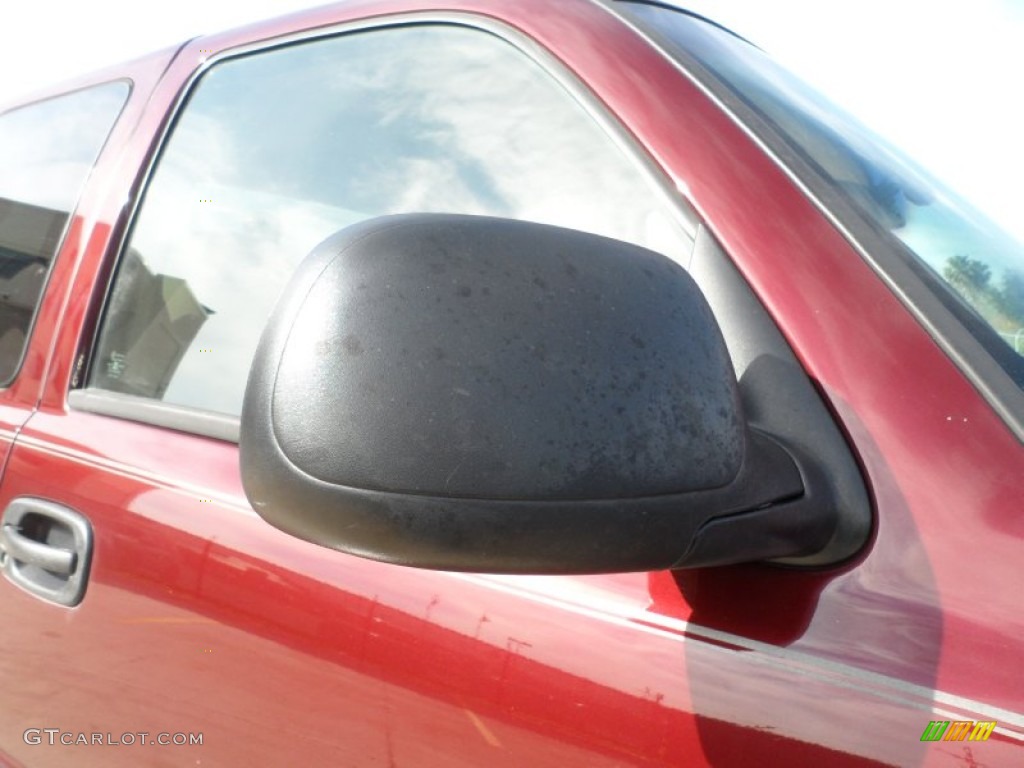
(973, 267)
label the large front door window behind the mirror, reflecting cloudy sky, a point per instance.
(277, 151)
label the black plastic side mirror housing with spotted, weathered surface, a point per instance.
(473, 394)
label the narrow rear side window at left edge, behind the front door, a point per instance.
(47, 152)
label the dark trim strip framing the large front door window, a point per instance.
(224, 426)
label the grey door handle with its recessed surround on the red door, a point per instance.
(46, 549)
